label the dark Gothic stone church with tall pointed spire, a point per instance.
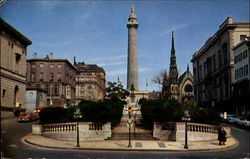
(177, 87)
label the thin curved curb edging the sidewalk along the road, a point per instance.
(25, 141)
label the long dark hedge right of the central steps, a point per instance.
(161, 110)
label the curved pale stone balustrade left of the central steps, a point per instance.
(88, 131)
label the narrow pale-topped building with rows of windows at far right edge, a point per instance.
(241, 84)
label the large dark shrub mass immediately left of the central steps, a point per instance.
(106, 111)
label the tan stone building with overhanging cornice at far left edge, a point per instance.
(13, 69)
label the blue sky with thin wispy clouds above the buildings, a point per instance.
(96, 33)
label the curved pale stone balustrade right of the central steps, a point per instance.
(175, 131)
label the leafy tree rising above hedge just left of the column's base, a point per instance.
(116, 90)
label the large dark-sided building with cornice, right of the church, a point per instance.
(213, 66)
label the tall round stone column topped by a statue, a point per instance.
(132, 70)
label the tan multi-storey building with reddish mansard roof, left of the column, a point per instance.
(90, 82)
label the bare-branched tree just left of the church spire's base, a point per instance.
(163, 80)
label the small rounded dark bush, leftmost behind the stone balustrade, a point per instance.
(53, 115)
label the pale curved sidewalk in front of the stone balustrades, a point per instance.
(137, 145)
